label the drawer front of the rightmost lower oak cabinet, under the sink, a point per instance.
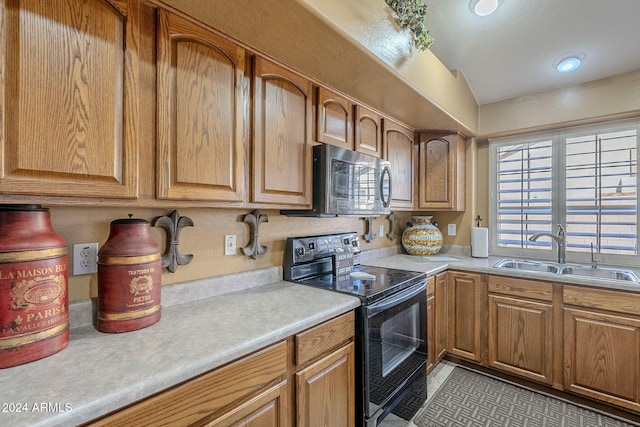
(617, 301)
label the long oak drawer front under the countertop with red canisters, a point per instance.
(207, 395)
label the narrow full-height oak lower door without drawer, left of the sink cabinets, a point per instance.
(466, 315)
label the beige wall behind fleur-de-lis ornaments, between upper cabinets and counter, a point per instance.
(206, 238)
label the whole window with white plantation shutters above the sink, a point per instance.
(582, 178)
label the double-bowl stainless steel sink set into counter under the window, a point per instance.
(569, 269)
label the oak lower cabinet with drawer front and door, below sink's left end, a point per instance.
(521, 332)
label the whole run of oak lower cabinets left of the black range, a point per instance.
(309, 377)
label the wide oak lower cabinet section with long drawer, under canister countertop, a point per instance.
(240, 390)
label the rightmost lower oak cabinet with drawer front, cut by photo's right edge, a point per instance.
(602, 345)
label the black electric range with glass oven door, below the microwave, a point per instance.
(390, 324)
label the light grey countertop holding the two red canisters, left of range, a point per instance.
(98, 373)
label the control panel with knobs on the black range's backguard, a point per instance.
(300, 250)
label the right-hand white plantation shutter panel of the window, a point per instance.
(601, 186)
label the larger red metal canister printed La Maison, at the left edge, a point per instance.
(34, 302)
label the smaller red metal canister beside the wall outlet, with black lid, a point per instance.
(129, 277)
